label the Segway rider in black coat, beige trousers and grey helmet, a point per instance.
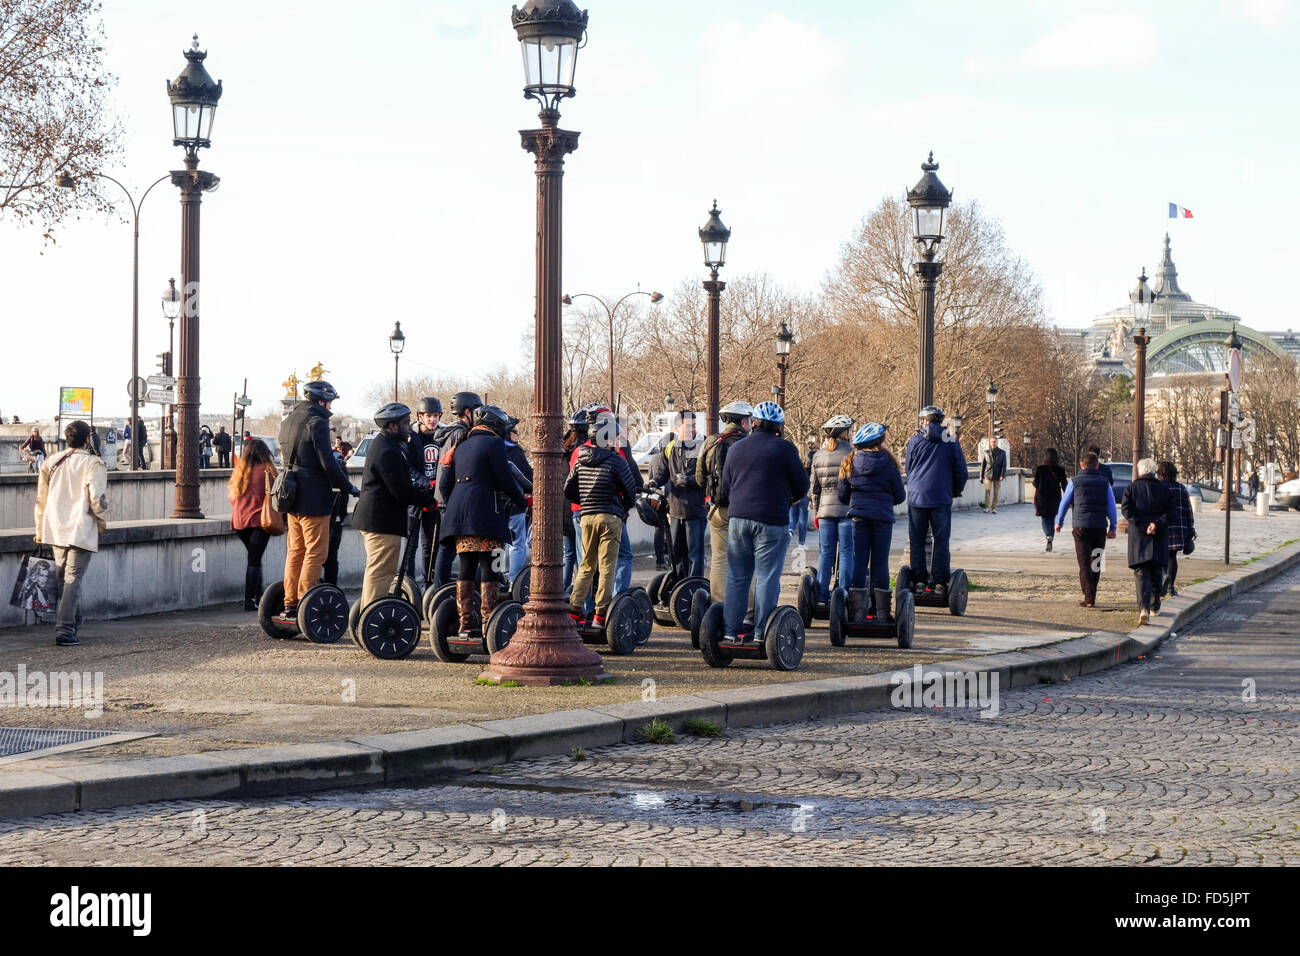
(387, 492)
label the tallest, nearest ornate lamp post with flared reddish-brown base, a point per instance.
(547, 648)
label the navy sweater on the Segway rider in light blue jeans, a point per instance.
(762, 478)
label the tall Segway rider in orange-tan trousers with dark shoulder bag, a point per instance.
(305, 438)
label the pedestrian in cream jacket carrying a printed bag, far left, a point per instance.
(72, 504)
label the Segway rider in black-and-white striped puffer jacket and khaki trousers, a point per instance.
(603, 485)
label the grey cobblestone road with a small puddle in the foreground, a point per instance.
(1163, 762)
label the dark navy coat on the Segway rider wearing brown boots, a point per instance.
(479, 488)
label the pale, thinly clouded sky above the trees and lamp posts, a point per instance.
(372, 170)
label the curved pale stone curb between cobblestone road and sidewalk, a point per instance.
(396, 758)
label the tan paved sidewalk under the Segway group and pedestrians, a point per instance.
(210, 680)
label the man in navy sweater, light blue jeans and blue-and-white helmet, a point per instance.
(761, 479)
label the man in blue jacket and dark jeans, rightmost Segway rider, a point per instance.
(937, 474)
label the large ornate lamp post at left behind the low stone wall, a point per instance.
(194, 102)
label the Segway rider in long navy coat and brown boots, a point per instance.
(476, 520)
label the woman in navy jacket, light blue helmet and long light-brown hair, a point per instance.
(872, 486)
